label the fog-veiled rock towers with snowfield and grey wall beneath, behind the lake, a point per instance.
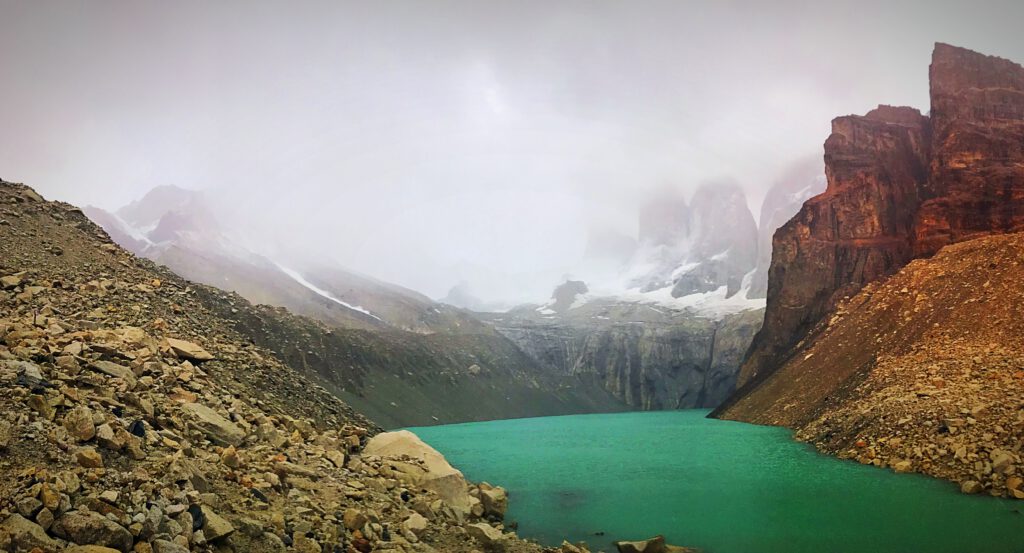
(669, 329)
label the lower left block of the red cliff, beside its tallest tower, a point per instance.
(860, 230)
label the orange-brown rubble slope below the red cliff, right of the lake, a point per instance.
(923, 371)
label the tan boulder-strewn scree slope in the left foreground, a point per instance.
(135, 418)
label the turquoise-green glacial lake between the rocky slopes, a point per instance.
(719, 486)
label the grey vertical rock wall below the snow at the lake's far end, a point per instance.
(646, 357)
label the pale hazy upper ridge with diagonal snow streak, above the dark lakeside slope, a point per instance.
(179, 229)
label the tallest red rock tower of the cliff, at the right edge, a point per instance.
(977, 166)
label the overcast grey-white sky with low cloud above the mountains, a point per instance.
(429, 143)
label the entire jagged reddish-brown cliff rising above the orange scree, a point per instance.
(901, 187)
